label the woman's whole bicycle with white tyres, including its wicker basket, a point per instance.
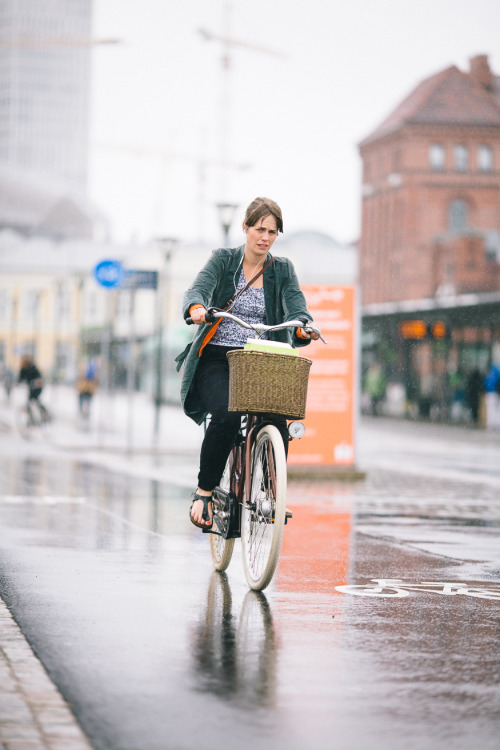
(250, 501)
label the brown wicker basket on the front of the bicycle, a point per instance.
(268, 383)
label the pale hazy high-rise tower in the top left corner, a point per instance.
(45, 86)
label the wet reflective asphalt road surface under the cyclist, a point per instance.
(114, 590)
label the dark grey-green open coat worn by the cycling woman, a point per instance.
(214, 286)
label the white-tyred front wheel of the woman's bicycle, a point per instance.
(264, 512)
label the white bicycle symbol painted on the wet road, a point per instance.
(395, 587)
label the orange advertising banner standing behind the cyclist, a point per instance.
(330, 420)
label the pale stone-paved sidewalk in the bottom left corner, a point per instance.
(32, 711)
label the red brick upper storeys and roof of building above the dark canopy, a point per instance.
(431, 190)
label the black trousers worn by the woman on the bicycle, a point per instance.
(212, 384)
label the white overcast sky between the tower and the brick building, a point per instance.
(307, 81)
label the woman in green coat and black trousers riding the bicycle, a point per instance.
(259, 288)
